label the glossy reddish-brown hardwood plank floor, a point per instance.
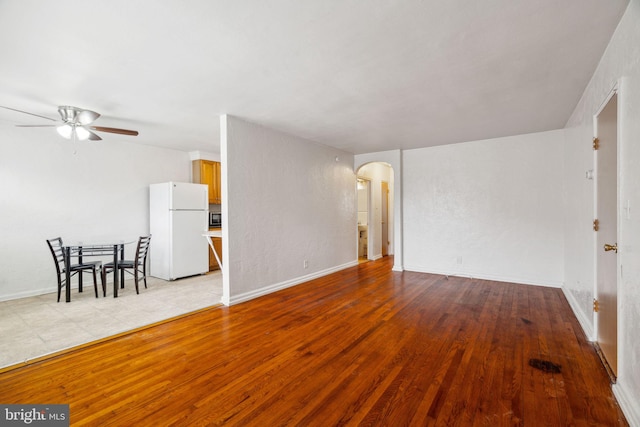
(364, 346)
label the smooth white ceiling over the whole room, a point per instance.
(360, 75)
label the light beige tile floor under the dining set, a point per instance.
(37, 326)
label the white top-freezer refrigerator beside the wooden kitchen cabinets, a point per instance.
(178, 216)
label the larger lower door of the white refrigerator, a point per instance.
(189, 249)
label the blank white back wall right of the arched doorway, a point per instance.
(487, 209)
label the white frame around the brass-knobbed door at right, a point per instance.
(615, 91)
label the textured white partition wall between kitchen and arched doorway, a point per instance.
(285, 200)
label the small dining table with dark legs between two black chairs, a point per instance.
(90, 249)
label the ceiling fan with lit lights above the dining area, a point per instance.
(75, 124)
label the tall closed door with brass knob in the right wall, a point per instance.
(607, 234)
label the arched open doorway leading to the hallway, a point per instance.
(376, 182)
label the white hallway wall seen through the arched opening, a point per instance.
(376, 173)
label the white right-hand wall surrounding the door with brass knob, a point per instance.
(620, 63)
